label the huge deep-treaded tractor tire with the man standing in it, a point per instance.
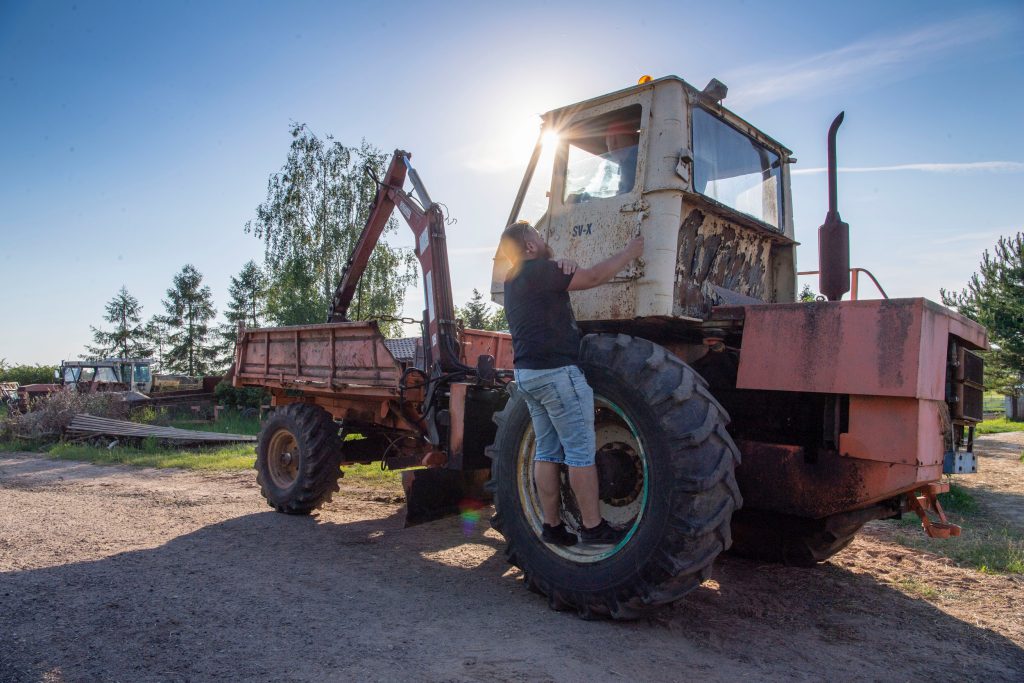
(666, 466)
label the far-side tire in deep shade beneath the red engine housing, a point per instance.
(772, 537)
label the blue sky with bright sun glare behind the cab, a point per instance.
(139, 138)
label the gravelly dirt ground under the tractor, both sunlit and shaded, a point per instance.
(111, 574)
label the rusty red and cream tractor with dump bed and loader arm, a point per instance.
(729, 415)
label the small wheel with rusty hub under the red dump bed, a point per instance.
(298, 454)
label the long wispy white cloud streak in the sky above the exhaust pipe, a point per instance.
(893, 57)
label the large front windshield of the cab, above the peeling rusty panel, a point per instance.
(735, 170)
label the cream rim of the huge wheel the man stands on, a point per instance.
(622, 463)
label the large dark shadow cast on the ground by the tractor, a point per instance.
(272, 597)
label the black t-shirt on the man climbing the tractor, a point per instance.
(537, 306)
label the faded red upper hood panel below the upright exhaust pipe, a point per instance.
(893, 348)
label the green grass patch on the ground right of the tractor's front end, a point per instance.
(986, 545)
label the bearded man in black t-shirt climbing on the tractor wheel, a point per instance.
(546, 345)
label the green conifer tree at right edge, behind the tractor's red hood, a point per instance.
(995, 297)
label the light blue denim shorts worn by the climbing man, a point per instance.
(562, 406)
